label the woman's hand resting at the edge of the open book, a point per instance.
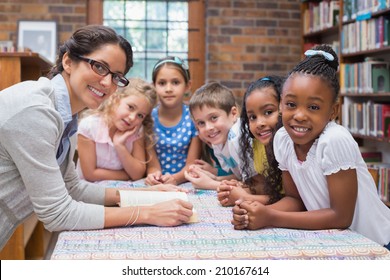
(169, 213)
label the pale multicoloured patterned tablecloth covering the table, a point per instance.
(213, 238)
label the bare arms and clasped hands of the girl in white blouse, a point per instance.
(342, 188)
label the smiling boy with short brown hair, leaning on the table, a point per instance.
(214, 111)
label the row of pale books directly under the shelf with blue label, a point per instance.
(365, 35)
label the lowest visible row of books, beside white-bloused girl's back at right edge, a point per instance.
(381, 174)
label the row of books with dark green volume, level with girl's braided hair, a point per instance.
(370, 76)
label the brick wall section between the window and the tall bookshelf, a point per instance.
(248, 39)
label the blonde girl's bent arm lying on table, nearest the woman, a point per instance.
(87, 160)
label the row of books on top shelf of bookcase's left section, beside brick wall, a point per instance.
(320, 15)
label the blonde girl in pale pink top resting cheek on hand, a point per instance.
(114, 141)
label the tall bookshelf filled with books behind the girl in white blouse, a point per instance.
(362, 31)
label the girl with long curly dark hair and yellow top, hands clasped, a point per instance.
(260, 119)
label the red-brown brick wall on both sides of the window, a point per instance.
(245, 39)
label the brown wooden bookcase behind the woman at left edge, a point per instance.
(30, 239)
